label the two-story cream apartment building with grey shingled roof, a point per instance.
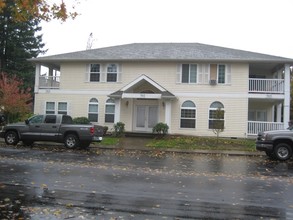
(181, 84)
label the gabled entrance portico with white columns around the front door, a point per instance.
(145, 103)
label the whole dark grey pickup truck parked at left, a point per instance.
(53, 128)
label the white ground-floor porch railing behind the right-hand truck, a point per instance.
(257, 126)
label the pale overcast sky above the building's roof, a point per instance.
(264, 26)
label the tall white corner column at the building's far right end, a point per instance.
(286, 113)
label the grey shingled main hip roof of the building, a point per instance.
(163, 52)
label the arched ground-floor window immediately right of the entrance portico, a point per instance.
(188, 115)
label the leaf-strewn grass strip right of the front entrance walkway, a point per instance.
(202, 143)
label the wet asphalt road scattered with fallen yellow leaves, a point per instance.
(120, 184)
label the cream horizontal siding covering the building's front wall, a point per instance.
(76, 91)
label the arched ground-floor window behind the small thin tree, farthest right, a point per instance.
(216, 116)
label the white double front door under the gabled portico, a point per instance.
(146, 117)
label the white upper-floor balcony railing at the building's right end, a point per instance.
(266, 86)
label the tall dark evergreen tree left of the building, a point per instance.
(19, 41)
